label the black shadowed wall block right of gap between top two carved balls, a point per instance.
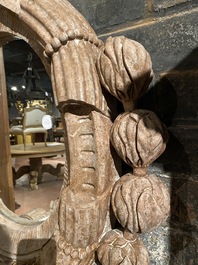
(174, 92)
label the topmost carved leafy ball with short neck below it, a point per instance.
(125, 69)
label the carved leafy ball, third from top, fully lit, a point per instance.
(140, 204)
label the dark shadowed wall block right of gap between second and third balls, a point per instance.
(180, 156)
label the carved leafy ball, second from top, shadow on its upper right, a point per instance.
(139, 137)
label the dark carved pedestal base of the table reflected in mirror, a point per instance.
(35, 170)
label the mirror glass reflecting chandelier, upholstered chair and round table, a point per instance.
(37, 168)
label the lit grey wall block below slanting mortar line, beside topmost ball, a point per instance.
(171, 41)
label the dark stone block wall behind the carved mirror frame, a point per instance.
(168, 29)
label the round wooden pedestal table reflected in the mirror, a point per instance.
(35, 153)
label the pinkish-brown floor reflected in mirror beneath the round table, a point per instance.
(27, 200)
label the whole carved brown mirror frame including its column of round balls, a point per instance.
(80, 227)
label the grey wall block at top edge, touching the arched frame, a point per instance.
(107, 13)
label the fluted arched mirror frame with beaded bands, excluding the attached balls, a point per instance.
(68, 48)
